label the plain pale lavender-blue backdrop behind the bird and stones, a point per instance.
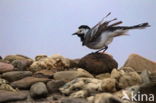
(32, 27)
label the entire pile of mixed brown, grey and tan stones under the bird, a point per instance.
(95, 78)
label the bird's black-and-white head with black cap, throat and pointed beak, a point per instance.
(82, 31)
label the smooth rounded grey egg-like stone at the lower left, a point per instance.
(38, 90)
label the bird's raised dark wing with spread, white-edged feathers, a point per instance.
(99, 28)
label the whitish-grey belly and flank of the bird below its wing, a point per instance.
(103, 41)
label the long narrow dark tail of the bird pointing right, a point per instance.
(139, 26)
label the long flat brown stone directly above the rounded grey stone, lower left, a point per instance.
(26, 82)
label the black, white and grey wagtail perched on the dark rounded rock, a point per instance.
(102, 34)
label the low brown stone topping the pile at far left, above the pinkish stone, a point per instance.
(11, 58)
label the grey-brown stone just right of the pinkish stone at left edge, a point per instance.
(22, 64)
